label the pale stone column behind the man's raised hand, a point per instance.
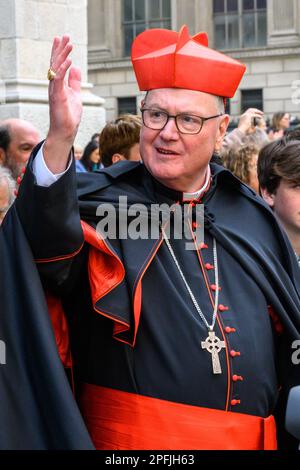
(27, 28)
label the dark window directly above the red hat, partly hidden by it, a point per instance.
(139, 15)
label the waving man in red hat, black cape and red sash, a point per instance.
(179, 340)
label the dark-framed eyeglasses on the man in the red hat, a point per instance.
(185, 123)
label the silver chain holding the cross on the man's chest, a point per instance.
(197, 307)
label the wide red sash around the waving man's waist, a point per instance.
(120, 420)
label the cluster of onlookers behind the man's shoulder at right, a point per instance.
(261, 157)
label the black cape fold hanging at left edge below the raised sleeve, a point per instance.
(38, 410)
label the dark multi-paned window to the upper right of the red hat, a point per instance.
(240, 23)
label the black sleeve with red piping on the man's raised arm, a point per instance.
(51, 222)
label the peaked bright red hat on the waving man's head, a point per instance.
(166, 59)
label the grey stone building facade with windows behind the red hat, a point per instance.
(263, 34)
